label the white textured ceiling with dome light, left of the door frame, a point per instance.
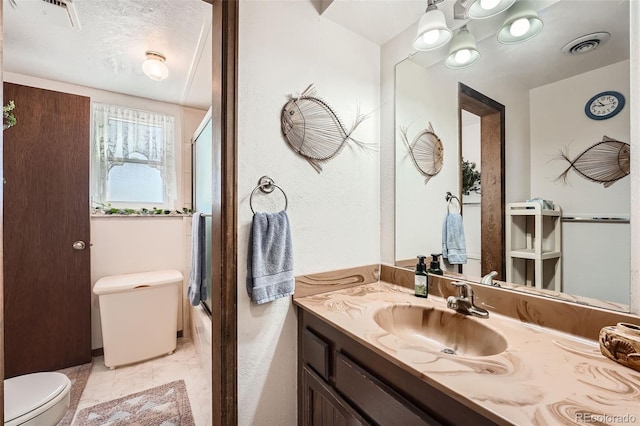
(107, 51)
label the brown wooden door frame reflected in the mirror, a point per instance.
(492, 139)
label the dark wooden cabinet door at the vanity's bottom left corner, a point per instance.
(322, 407)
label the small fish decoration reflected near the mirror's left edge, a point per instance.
(426, 151)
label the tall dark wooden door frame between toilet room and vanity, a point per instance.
(224, 118)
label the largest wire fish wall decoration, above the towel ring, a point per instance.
(314, 130)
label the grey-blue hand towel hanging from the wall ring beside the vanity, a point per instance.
(270, 258)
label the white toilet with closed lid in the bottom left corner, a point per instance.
(37, 399)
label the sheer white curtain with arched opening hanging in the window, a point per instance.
(122, 134)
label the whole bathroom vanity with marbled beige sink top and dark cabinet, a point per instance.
(375, 354)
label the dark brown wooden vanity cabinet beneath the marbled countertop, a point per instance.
(342, 382)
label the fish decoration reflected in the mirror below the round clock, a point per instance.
(604, 162)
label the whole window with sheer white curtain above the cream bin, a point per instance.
(133, 161)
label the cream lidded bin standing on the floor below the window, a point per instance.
(139, 314)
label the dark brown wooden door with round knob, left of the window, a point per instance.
(47, 283)
